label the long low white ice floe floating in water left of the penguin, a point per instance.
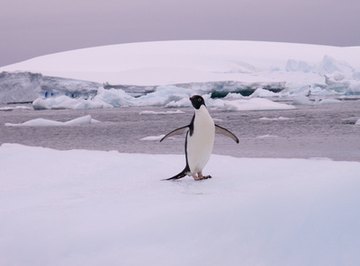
(41, 122)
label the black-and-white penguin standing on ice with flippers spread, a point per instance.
(199, 140)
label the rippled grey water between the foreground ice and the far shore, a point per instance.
(308, 131)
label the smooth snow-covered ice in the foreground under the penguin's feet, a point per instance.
(83, 207)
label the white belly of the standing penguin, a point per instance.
(201, 143)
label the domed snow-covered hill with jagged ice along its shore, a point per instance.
(169, 72)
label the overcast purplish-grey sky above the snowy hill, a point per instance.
(38, 27)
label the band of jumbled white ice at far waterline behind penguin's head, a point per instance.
(164, 96)
